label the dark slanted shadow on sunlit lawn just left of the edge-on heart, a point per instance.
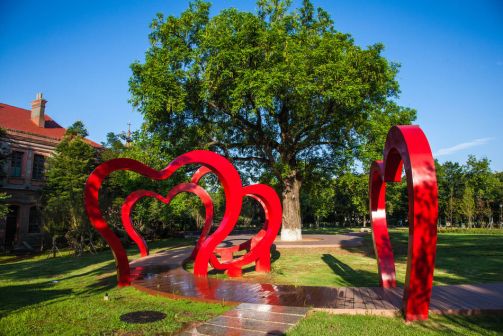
(350, 277)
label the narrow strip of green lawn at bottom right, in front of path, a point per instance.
(320, 323)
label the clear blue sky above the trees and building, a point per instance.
(78, 54)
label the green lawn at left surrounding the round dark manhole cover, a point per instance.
(65, 296)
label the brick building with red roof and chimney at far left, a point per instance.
(29, 138)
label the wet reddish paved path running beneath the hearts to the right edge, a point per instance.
(163, 274)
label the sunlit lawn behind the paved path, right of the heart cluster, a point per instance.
(461, 259)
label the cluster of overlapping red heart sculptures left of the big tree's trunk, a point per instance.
(204, 252)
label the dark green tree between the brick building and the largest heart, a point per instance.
(63, 201)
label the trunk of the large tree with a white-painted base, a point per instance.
(291, 229)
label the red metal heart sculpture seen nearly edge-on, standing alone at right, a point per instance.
(407, 147)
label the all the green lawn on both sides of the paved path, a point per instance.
(64, 295)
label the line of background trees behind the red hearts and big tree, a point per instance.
(470, 194)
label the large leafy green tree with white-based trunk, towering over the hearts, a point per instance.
(280, 91)
